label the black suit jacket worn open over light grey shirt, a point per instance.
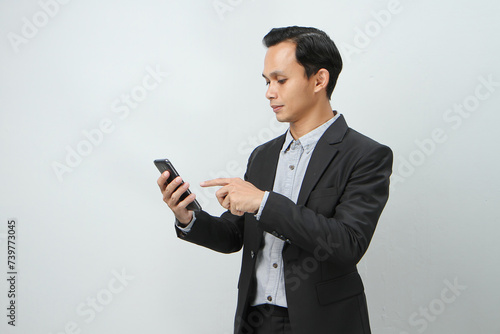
(327, 231)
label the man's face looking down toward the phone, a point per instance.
(290, 92)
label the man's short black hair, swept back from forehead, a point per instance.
(314, 50)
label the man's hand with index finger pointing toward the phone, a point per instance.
(236, 195)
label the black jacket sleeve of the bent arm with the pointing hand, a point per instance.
(346, 235)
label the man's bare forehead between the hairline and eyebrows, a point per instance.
(280, 58)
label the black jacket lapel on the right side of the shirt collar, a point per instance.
(323, 154)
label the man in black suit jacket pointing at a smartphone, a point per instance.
(308, 205)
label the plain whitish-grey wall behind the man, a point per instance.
(403, 72)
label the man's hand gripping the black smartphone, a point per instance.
(171, 194)
